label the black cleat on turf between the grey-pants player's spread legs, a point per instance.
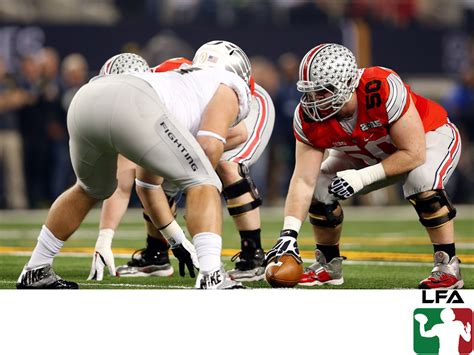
(146, 263)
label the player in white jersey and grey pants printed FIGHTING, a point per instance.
(172, 125)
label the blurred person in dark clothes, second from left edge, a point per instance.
(33, 129)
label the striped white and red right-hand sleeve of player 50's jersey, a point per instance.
(398, 98)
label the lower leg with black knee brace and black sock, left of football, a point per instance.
(243, 203)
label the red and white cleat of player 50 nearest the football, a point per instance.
(322, 272)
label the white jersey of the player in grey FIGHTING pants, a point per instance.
(186, 93)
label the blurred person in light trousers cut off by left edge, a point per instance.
(11, 145)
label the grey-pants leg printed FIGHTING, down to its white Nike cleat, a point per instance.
(178, 157)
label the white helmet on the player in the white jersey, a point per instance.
(226, 55)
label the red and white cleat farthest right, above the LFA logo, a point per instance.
(446, 273)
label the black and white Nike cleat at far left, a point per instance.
(43, 277)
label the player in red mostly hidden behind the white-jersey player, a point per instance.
(240, 192)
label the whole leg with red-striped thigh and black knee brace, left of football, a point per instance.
(240, 192)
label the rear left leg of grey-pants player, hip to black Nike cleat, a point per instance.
(95, 167)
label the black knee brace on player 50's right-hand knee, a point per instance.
(432, 206)
